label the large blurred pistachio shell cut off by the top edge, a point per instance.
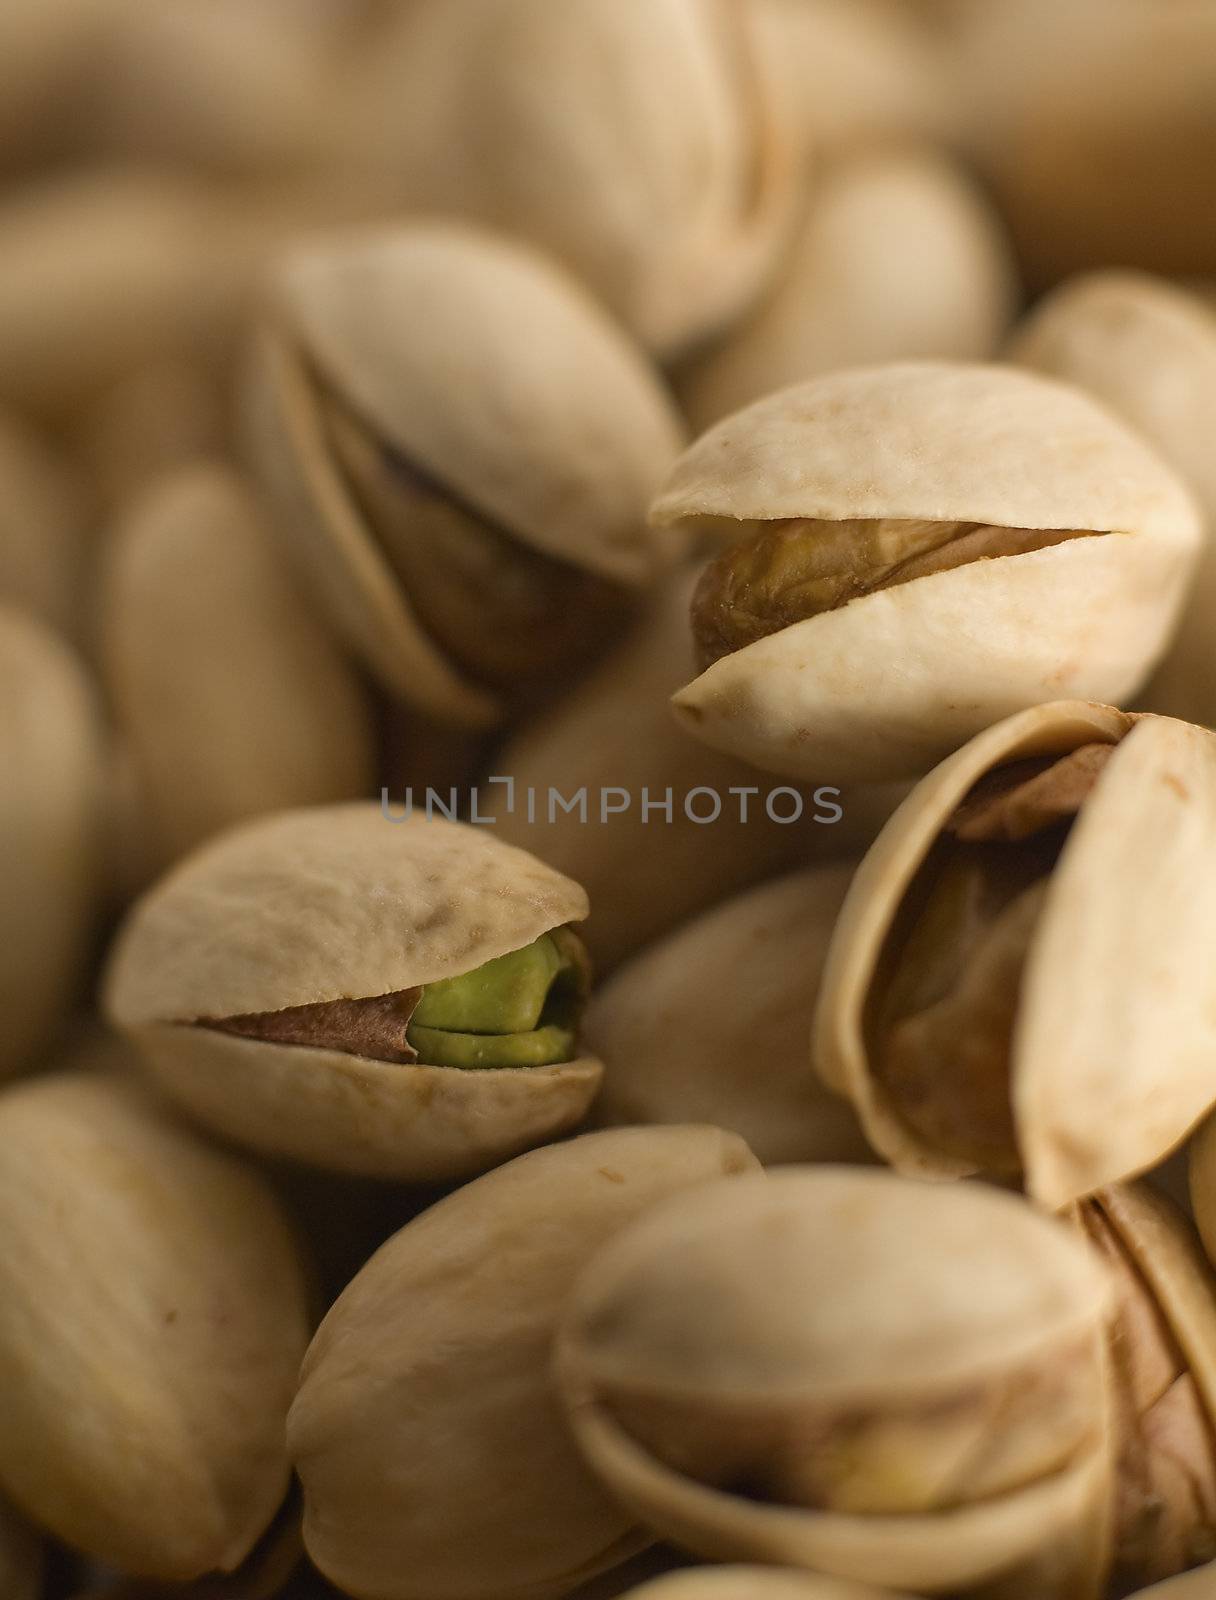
(649, 145)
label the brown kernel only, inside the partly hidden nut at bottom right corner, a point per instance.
(1166, 1510)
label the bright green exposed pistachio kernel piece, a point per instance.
(519, 1010)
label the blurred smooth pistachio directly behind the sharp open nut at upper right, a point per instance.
(900, 257)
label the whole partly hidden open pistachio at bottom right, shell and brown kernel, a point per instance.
(1162, 1367)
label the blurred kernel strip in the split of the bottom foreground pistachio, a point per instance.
(905, 1460)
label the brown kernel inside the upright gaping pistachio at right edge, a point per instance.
(942, 1026)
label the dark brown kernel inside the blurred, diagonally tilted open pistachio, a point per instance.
(505, 614)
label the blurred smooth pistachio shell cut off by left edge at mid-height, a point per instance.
(52, 754)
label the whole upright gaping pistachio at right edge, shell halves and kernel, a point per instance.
(1022, 975)
